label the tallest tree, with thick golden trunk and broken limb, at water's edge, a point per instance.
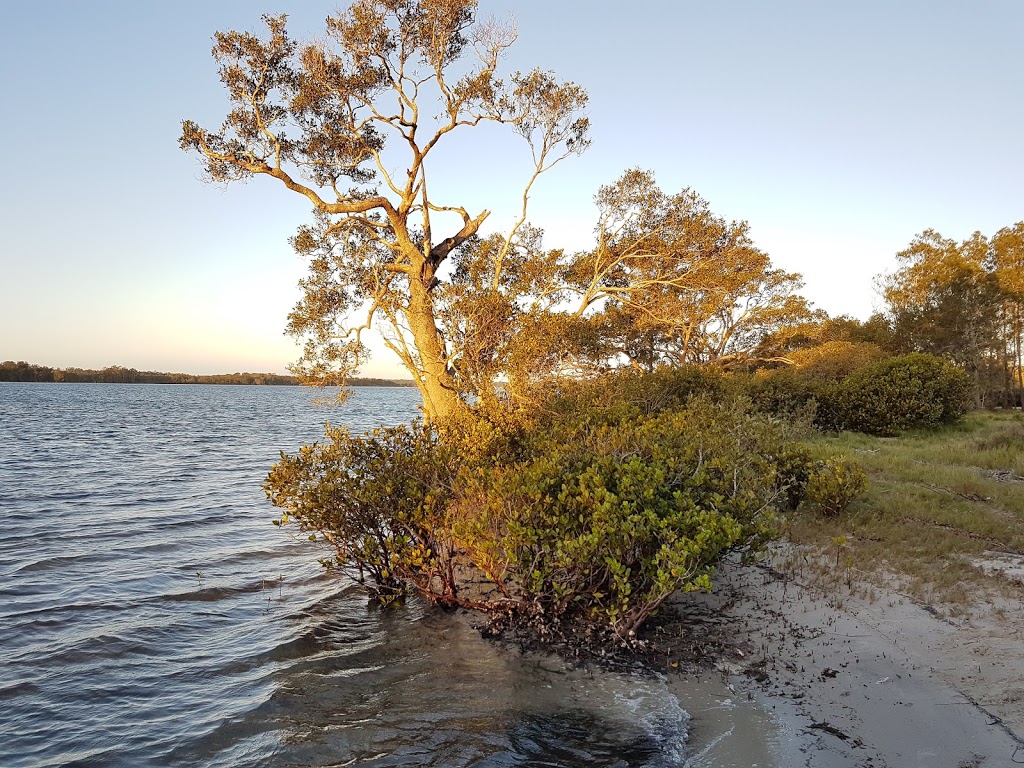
(323, 119)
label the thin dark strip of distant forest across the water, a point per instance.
(22, 371)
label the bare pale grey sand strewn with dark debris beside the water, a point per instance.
(851, 681)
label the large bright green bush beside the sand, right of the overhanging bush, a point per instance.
(605, 523)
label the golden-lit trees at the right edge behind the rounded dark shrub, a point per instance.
(961, 302)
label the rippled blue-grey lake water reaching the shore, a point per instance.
(151, 615)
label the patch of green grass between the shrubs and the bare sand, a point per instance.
(937, 501)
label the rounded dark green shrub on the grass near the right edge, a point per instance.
(912, 392)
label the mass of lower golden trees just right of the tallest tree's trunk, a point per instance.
(667, 283)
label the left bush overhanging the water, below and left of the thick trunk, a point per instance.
(379, 500)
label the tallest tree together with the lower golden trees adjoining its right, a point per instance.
(354, 121)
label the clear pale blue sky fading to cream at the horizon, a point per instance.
(838, 131)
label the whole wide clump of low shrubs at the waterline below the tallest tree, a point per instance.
(587, 514)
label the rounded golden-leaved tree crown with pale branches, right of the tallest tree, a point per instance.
(675, 284)
